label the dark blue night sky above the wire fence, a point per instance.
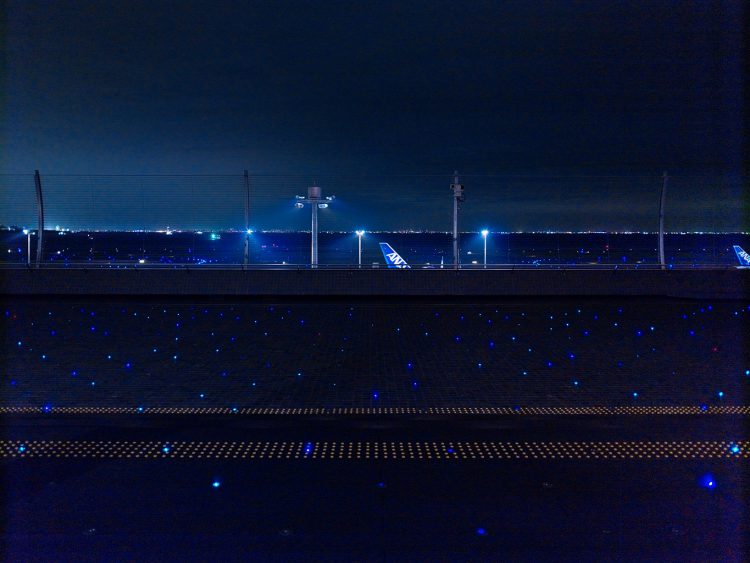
(380, 88)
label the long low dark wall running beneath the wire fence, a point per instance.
(710, 284)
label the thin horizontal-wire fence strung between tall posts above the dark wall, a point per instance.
(201, 210)
